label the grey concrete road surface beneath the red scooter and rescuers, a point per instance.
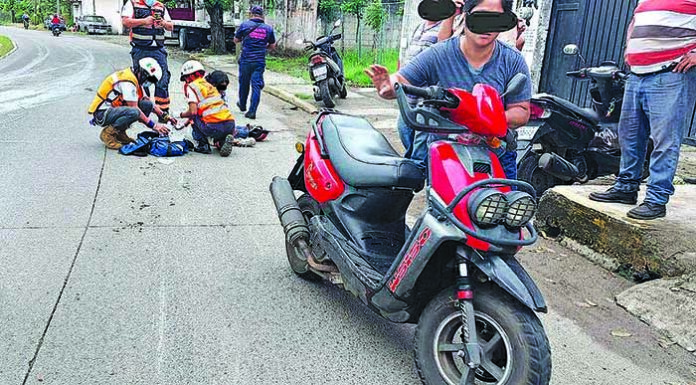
(120, 270)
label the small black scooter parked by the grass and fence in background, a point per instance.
(326, 68)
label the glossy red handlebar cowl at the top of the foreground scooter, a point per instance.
(481, 111)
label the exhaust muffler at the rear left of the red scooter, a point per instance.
(289, 212)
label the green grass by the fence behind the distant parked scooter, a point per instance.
(297, 65)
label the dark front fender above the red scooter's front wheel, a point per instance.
(507, 273)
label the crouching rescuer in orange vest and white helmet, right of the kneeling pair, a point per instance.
(210, 115)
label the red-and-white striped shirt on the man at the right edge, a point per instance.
(663, 32)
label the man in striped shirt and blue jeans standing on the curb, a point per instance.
(659, 98)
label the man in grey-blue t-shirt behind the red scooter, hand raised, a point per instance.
(463, 62)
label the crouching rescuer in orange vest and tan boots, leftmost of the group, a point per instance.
(121, 101)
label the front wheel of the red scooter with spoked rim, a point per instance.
(514, 346)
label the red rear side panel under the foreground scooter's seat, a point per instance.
(322, 181)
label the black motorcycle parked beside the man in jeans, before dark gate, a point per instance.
(565, 143)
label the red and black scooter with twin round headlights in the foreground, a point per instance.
(455, 273)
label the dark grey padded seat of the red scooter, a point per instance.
(363, 157)
